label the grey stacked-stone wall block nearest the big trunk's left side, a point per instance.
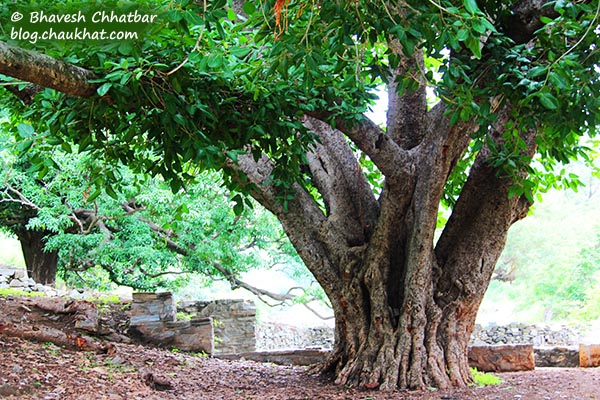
(234, 323)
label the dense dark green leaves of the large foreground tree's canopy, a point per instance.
(208, 83)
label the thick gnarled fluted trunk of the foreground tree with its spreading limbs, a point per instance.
(405, 306)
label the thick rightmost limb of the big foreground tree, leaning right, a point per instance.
(476, 232)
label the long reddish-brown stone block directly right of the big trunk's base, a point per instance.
(504, 358)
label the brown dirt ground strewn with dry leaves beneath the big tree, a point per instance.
(32, 370)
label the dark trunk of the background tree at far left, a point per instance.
(41, 264)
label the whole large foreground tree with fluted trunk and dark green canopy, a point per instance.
(276, 99)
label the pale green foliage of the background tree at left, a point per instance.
(142, 235)
